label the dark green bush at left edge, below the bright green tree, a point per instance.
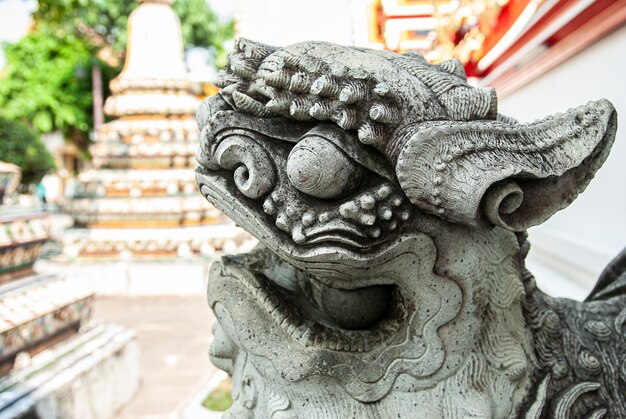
(23, 147)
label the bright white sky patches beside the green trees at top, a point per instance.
(15, 17)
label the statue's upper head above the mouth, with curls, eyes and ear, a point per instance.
(334, 150)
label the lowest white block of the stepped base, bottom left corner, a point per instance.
(88, 376)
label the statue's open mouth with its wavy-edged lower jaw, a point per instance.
(343, 318)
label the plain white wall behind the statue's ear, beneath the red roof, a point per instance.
(572, 248)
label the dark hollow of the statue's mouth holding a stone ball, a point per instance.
(317, 315)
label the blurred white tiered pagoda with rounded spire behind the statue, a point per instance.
(140, 199)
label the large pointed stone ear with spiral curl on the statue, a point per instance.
(483, 173)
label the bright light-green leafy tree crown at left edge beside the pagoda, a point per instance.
(47, 84)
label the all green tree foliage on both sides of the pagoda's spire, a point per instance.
(47, 80)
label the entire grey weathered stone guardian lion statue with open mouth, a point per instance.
(391, 200)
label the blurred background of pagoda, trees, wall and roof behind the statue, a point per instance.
(105, 242)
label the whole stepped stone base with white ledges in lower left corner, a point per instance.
(54, 363)
